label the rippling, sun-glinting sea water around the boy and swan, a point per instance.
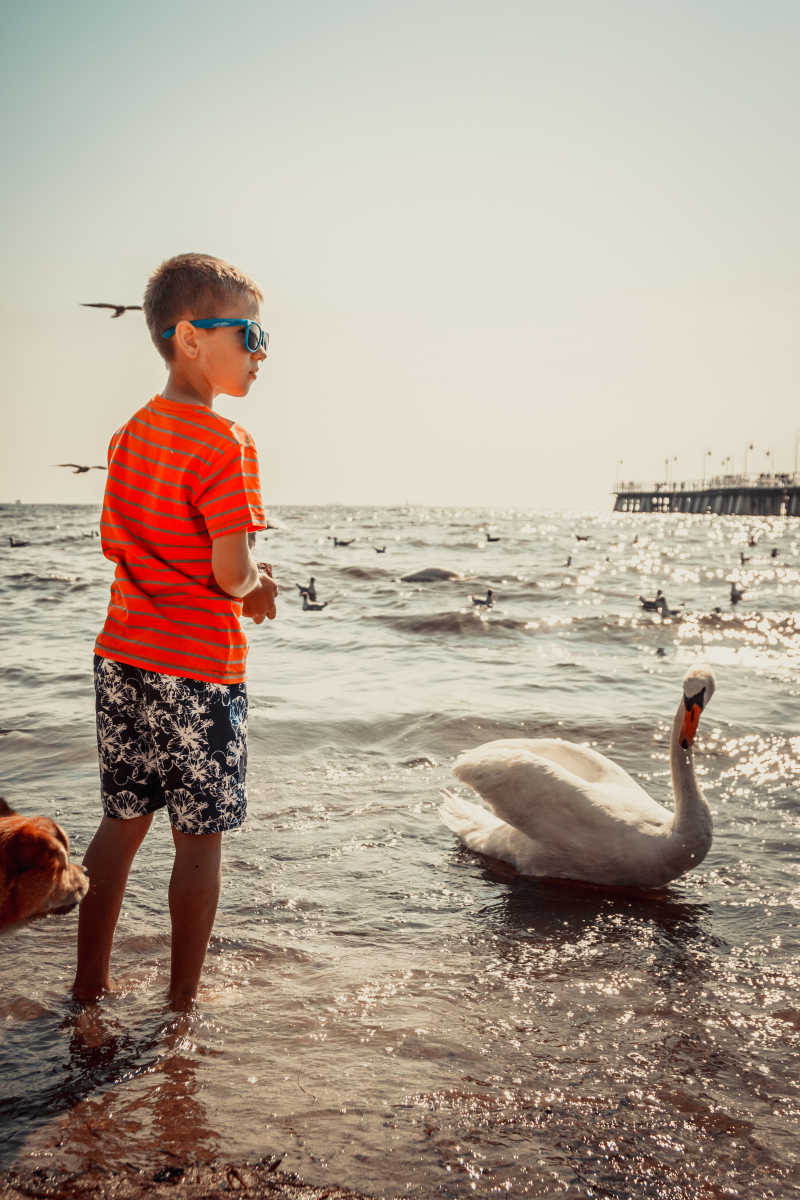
(380, 1006)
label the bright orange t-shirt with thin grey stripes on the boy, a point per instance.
(178, 477)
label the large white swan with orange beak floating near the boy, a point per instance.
(562, 811)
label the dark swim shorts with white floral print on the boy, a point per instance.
(169, 741)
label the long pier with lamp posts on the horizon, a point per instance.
(762, 496)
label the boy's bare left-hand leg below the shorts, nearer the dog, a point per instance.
(109, 862)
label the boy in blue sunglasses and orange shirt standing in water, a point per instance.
(182, 499)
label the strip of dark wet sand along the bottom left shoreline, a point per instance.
(191, 1181)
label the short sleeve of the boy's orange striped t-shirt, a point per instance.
(231, 499)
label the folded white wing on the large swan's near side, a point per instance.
(555, 806)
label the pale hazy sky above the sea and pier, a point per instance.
(512, 253)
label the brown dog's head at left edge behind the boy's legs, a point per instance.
(37, 875)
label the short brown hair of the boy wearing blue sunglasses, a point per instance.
(195, 287)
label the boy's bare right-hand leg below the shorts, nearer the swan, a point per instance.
(194, 896)
